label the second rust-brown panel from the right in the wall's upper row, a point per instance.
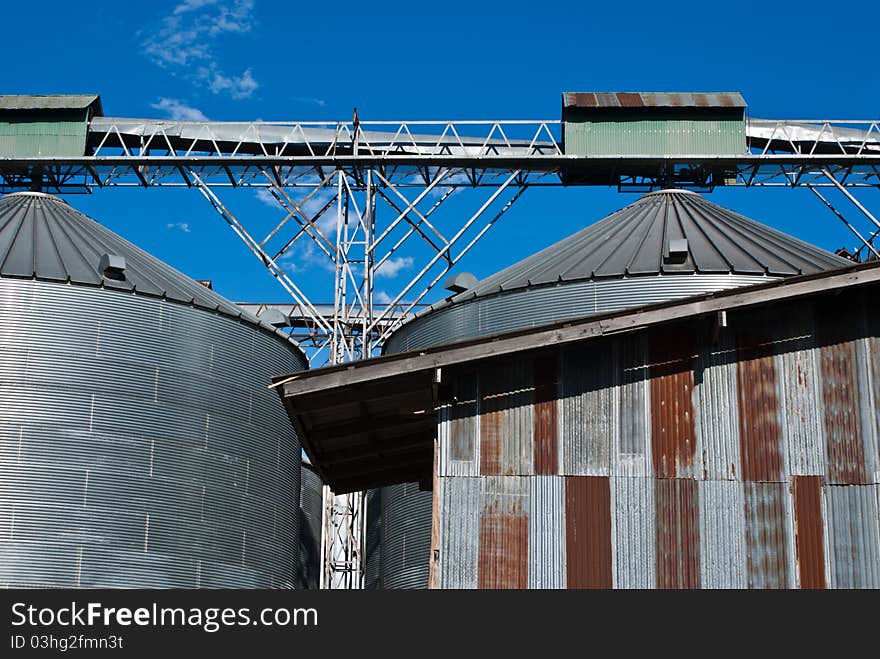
(760, 432)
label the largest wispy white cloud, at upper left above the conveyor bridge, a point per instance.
(184, 43)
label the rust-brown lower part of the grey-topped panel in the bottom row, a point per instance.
(504, 551)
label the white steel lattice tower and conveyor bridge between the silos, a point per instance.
(360, 194)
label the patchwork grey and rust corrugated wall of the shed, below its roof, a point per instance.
(695, 456)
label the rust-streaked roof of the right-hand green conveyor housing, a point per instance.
(653, 100)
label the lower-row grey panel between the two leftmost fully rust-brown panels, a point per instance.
(634, 533)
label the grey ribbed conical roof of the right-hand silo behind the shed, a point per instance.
(636, 241)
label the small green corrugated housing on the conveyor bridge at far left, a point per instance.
(53, 125)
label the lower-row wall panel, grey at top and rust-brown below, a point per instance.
(504, 532)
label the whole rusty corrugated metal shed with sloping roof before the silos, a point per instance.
(726, 440)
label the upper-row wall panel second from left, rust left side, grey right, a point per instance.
(506, 425)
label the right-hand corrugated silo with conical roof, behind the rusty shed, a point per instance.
(665, 246)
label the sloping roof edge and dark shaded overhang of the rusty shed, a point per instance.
(372, 423)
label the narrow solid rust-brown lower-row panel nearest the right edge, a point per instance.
(808, 531)
